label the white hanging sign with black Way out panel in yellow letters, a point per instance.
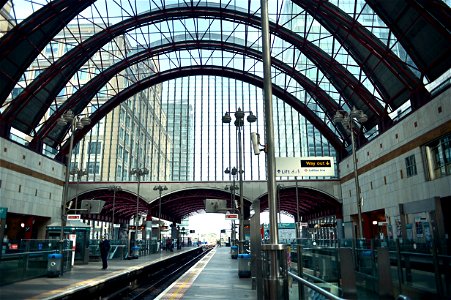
(305, 166)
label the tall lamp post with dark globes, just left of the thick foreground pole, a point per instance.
(239, 123)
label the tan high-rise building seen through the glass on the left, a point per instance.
(133, 134)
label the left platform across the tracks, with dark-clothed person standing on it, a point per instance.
(80, 276)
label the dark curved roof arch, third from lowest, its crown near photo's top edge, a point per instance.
(56, 76)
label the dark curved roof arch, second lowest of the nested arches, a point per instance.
(51, 134)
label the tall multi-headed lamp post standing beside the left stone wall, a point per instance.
(76, 122)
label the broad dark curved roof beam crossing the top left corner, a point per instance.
(20, 46)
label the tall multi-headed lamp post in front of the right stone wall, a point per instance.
(347, 120)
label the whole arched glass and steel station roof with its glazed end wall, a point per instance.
(158, 75)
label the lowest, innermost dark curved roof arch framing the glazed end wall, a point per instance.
(203, 70)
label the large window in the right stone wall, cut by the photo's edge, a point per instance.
(439, 157)
